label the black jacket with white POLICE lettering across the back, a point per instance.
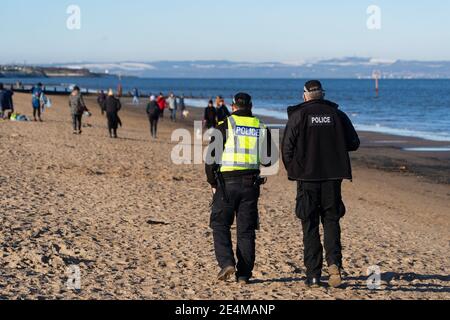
(317, 142)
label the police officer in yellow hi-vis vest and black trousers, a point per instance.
(239, 147)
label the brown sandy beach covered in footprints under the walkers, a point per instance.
(137, 226)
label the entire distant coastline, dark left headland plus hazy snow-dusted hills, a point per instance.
(338, 68)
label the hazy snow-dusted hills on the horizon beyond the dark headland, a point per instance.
(349, 67)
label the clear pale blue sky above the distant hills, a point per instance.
(246, 30)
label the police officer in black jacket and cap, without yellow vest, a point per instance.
(316, 146)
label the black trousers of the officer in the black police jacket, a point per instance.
(318, 201)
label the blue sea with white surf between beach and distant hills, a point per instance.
(419, 108)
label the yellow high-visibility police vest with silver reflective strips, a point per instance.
(243, 146)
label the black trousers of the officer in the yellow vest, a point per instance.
(243, 197)
